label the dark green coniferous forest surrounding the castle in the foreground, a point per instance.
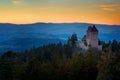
(62, 62)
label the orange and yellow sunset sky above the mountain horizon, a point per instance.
(60, 11)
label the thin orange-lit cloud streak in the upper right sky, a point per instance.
(112, 7)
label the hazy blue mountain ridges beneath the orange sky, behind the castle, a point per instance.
(38, 34)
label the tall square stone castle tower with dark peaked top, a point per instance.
(92, 37)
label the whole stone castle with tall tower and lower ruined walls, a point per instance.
(90, 39)
